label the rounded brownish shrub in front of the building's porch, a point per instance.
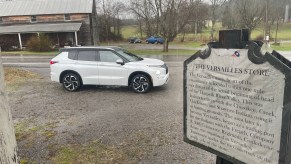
(39, 43)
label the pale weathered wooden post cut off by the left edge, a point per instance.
(8, 146)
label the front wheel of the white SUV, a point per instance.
(140, 83)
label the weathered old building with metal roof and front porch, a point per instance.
(64, 21)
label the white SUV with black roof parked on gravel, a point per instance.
(78, 66)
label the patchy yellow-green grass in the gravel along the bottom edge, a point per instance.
(131, 150)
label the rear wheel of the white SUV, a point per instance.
(71, 82)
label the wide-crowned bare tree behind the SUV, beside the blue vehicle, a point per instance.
(163, 17)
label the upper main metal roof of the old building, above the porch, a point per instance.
(42, 7)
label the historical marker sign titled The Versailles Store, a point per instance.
(236, 106)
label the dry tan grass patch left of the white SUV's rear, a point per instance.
(15, 77)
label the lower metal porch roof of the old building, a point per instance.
(45, 28)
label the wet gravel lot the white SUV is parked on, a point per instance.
(102, 124)
